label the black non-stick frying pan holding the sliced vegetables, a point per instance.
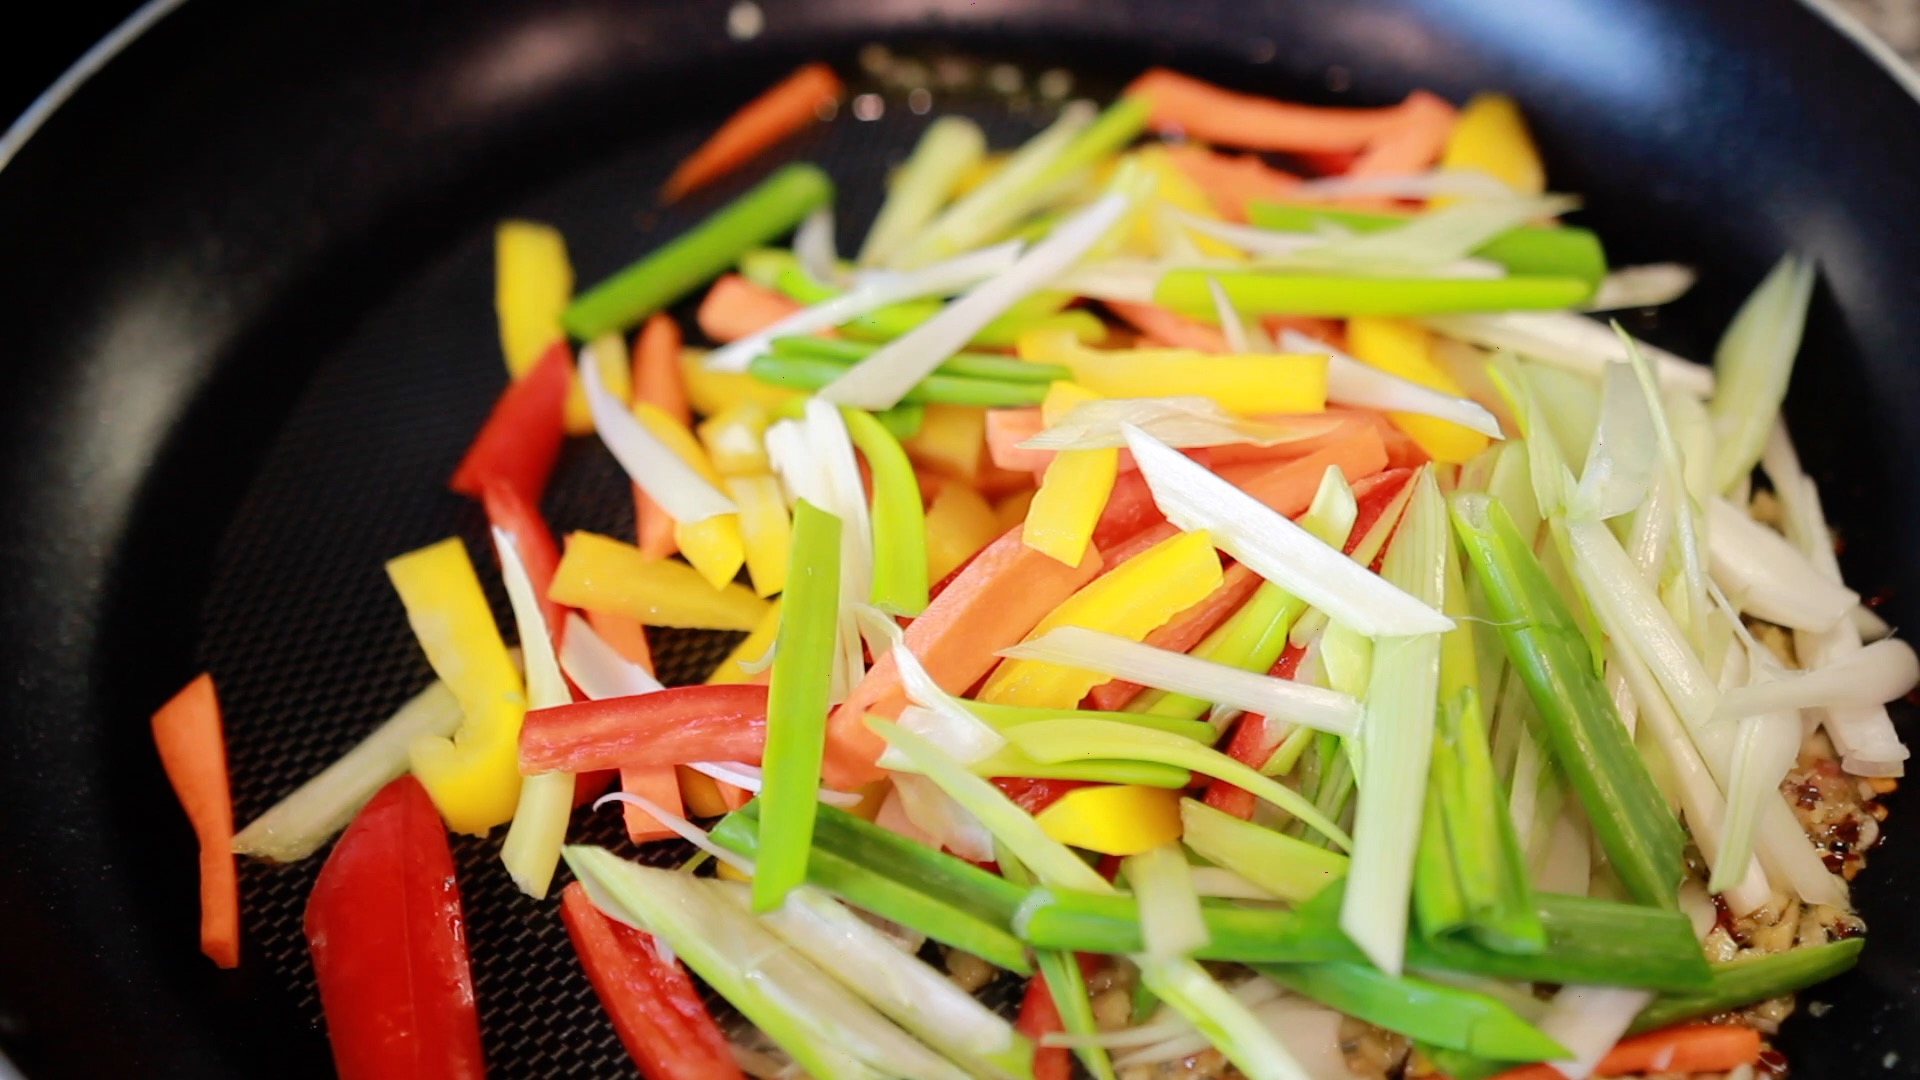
(247, 297)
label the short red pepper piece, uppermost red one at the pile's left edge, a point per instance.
(523, 435)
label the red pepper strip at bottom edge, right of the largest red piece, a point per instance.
(652, 1002)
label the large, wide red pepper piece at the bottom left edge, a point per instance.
(389, 946)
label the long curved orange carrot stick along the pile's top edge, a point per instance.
(1214, 114)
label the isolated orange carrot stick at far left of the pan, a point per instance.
(193, 750)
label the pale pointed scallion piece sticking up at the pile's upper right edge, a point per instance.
(1754, 364)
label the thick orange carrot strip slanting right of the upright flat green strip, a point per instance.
(986, 608)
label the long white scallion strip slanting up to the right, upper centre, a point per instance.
(894, 370)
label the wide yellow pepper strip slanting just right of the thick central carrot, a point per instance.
(1130, 601)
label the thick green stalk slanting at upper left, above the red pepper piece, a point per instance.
(775, 207)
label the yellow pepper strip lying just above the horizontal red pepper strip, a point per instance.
(602, 574)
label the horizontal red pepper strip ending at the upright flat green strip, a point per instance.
(667, 727)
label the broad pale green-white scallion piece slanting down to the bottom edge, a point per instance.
(828, 1031)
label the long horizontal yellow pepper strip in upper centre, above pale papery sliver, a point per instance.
(1247, 383)
